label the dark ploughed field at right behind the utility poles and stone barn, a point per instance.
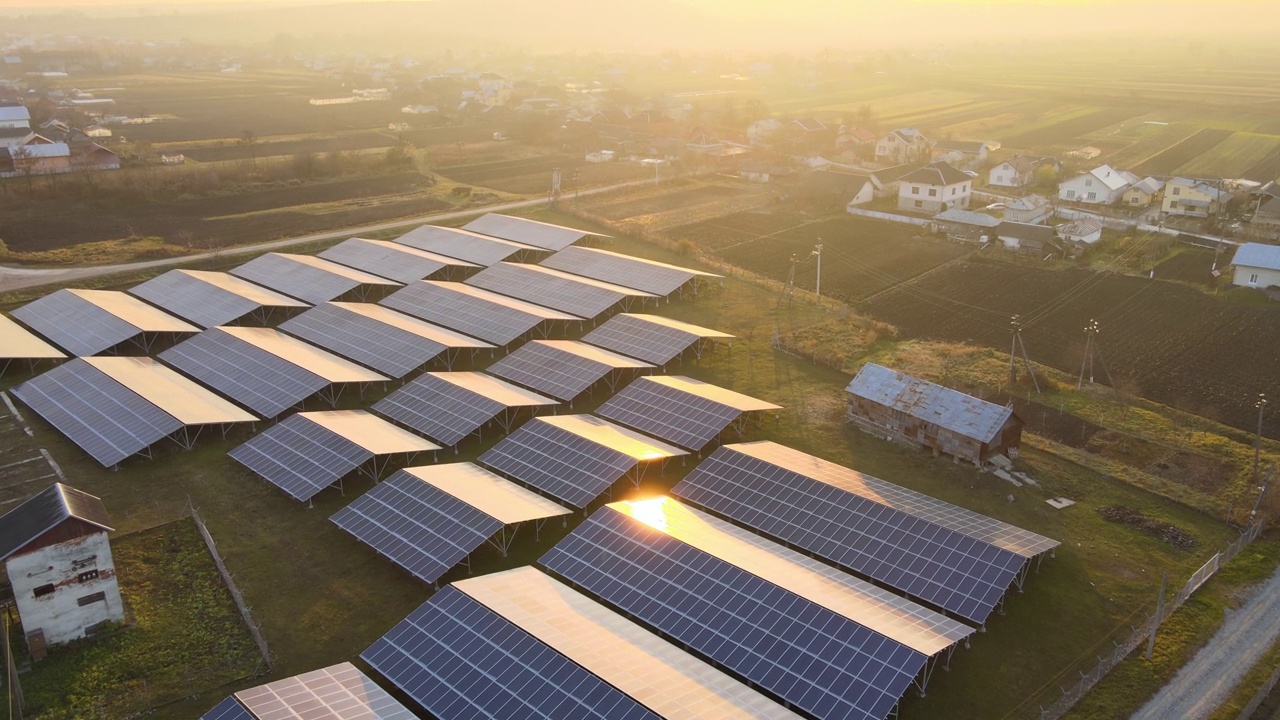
(1164, 341)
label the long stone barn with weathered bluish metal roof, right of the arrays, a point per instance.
(908, 409)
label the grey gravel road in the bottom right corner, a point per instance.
(1218, 668)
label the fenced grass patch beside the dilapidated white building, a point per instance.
(186, 636)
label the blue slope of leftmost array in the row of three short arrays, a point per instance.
(418, 526)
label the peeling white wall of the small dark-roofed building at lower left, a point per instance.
(60, 614)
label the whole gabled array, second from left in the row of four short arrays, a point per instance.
(450, 407)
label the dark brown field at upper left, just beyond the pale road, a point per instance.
(231, 220)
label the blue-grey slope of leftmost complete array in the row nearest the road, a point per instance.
(75, 325)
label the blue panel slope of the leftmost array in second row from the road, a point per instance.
(97, 413)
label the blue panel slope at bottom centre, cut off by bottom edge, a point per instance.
(463, 662)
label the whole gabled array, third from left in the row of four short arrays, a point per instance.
(563, 370)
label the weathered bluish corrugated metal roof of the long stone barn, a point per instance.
(931, 403)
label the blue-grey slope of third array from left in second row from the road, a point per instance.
(371, 343)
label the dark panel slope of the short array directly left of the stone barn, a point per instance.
(671, 414)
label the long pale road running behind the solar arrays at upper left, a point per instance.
(19, 279)
